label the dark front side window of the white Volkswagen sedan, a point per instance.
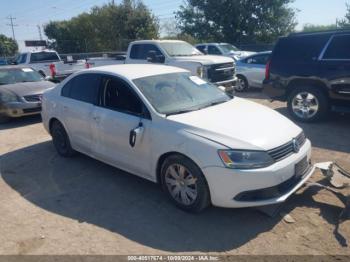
(117, 95)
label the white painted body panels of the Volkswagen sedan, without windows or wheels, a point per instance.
(237, 124)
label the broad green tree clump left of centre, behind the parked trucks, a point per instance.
(106, 28)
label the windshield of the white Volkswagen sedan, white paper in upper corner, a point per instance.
(178, 93)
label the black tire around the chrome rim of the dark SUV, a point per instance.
(320, 97)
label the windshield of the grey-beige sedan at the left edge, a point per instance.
(18, 75)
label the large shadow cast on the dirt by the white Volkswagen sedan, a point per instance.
(89, 191)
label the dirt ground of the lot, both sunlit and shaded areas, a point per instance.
(51, 205)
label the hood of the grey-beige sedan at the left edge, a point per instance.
(28, 88)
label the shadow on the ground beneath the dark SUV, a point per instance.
(331, 134)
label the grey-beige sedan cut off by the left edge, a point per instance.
(21, 90)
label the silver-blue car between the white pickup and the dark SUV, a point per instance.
(250, 71)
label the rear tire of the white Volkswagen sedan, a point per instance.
(60, 140)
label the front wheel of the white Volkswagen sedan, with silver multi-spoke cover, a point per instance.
(185, 184)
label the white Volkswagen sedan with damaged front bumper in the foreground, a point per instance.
(160, 123)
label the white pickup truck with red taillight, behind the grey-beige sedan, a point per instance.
(49, 63)
